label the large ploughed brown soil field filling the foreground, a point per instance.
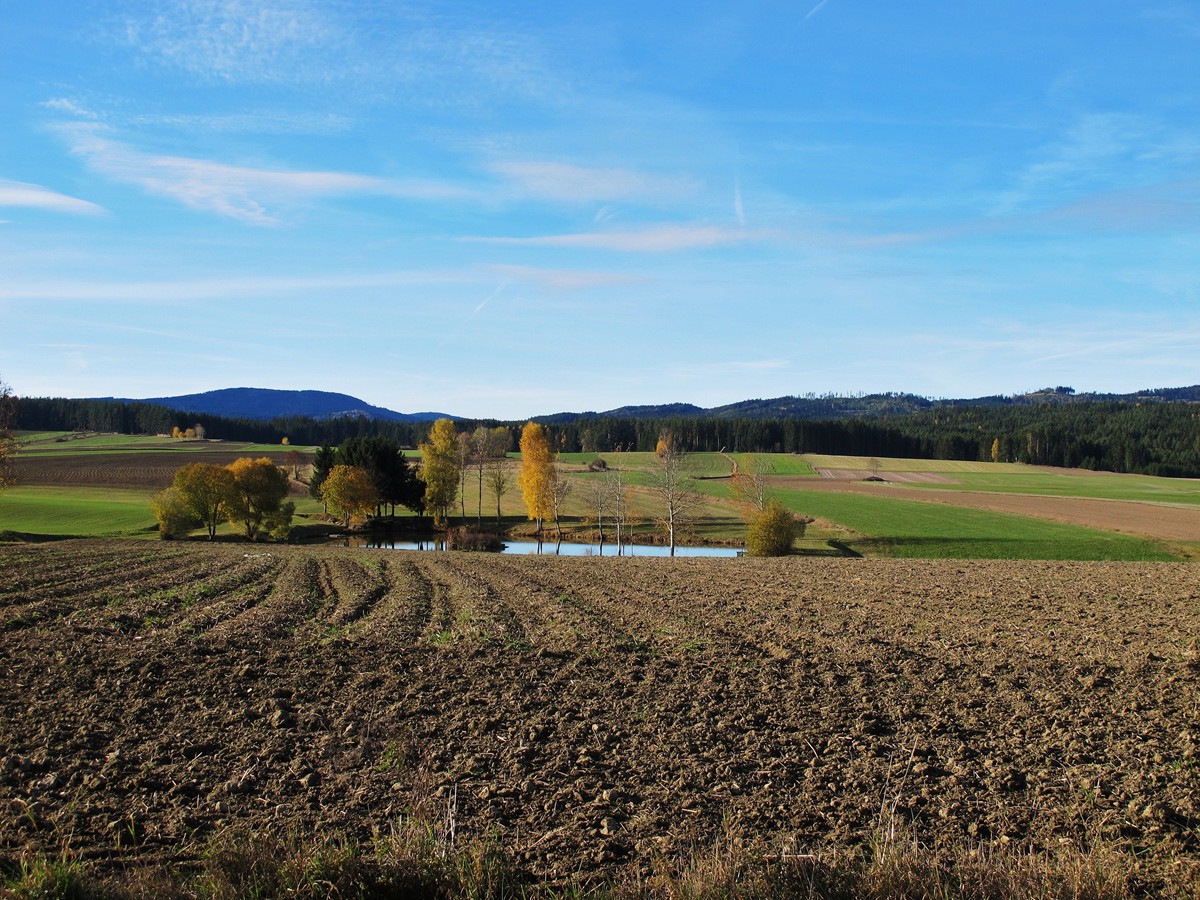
(593, 716)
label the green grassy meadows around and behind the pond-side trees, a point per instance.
(844, 523)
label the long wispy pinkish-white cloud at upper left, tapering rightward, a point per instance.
(245, 194)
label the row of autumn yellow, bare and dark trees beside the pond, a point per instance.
(371, 476)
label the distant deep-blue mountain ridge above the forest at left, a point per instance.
(267, 404)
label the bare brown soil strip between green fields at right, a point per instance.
(1151, 520)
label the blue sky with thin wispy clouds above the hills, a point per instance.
(514, 209)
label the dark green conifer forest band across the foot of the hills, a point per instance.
(1159, 439)
